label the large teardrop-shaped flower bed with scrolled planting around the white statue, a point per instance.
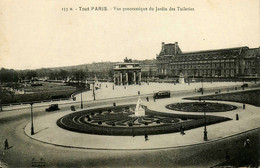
(120, 120)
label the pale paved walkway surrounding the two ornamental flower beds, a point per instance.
(120, 137)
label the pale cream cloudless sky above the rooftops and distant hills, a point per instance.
(39, 34)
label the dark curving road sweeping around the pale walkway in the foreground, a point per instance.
(25, 149)
